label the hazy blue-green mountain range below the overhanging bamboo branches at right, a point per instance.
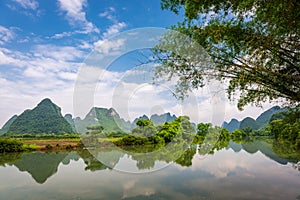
(260, 122)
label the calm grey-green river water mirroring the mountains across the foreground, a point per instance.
(251, 171)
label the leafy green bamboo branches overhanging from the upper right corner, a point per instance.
(253, 44)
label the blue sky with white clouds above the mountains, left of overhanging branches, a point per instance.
(48, 47)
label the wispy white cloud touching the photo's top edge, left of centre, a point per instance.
(75, 14)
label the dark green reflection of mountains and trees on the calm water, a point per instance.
(41, 166)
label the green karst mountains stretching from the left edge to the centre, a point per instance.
(46, 117)
